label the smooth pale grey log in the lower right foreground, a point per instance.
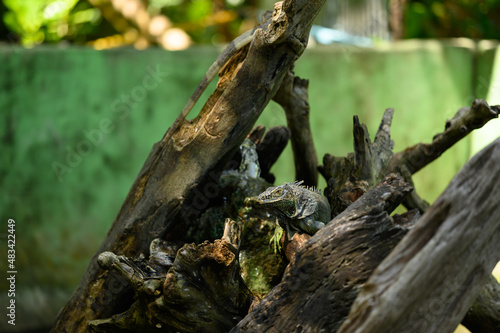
(431, 279)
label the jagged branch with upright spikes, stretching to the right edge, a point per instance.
(349, 177)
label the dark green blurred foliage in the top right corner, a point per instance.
(477, 19)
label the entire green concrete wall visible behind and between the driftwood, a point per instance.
(77, 125)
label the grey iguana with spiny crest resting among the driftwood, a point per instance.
(297, 208)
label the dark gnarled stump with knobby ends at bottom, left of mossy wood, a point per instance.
(181, 291)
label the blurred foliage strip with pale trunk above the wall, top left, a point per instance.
(173, 24)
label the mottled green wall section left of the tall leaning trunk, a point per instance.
(73, 142)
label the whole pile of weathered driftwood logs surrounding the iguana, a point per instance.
(425, 270)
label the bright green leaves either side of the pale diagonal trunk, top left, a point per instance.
(78, 21)
